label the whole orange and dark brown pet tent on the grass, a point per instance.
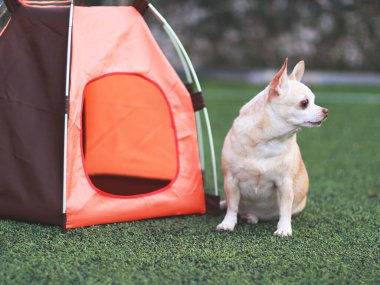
(130, 148)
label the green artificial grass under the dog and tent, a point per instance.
(335, 240)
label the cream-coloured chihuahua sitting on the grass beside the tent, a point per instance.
(264, 174)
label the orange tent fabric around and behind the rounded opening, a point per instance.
(112, 46)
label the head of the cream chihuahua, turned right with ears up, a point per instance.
(292, 101)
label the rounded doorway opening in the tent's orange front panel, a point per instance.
(128, 140)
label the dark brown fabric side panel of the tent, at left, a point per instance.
(32, 78)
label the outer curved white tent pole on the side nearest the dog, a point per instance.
(173, 36)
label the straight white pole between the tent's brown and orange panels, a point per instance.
(67, 101)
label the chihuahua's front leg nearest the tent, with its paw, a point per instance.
(233, 198)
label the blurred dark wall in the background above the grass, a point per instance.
(256, 34)
